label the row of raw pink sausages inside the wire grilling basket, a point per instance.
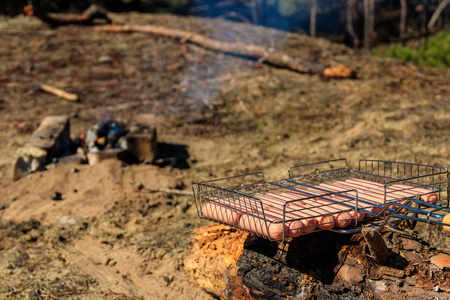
(292, 212)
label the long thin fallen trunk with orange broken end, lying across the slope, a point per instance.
(275, 58)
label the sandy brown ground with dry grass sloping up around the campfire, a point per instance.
(217, 115)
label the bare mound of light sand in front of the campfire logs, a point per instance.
(87, 191)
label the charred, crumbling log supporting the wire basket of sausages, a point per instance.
(329, 265)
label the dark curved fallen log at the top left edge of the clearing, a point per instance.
(88, 17)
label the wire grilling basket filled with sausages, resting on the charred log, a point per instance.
(247, 194)
